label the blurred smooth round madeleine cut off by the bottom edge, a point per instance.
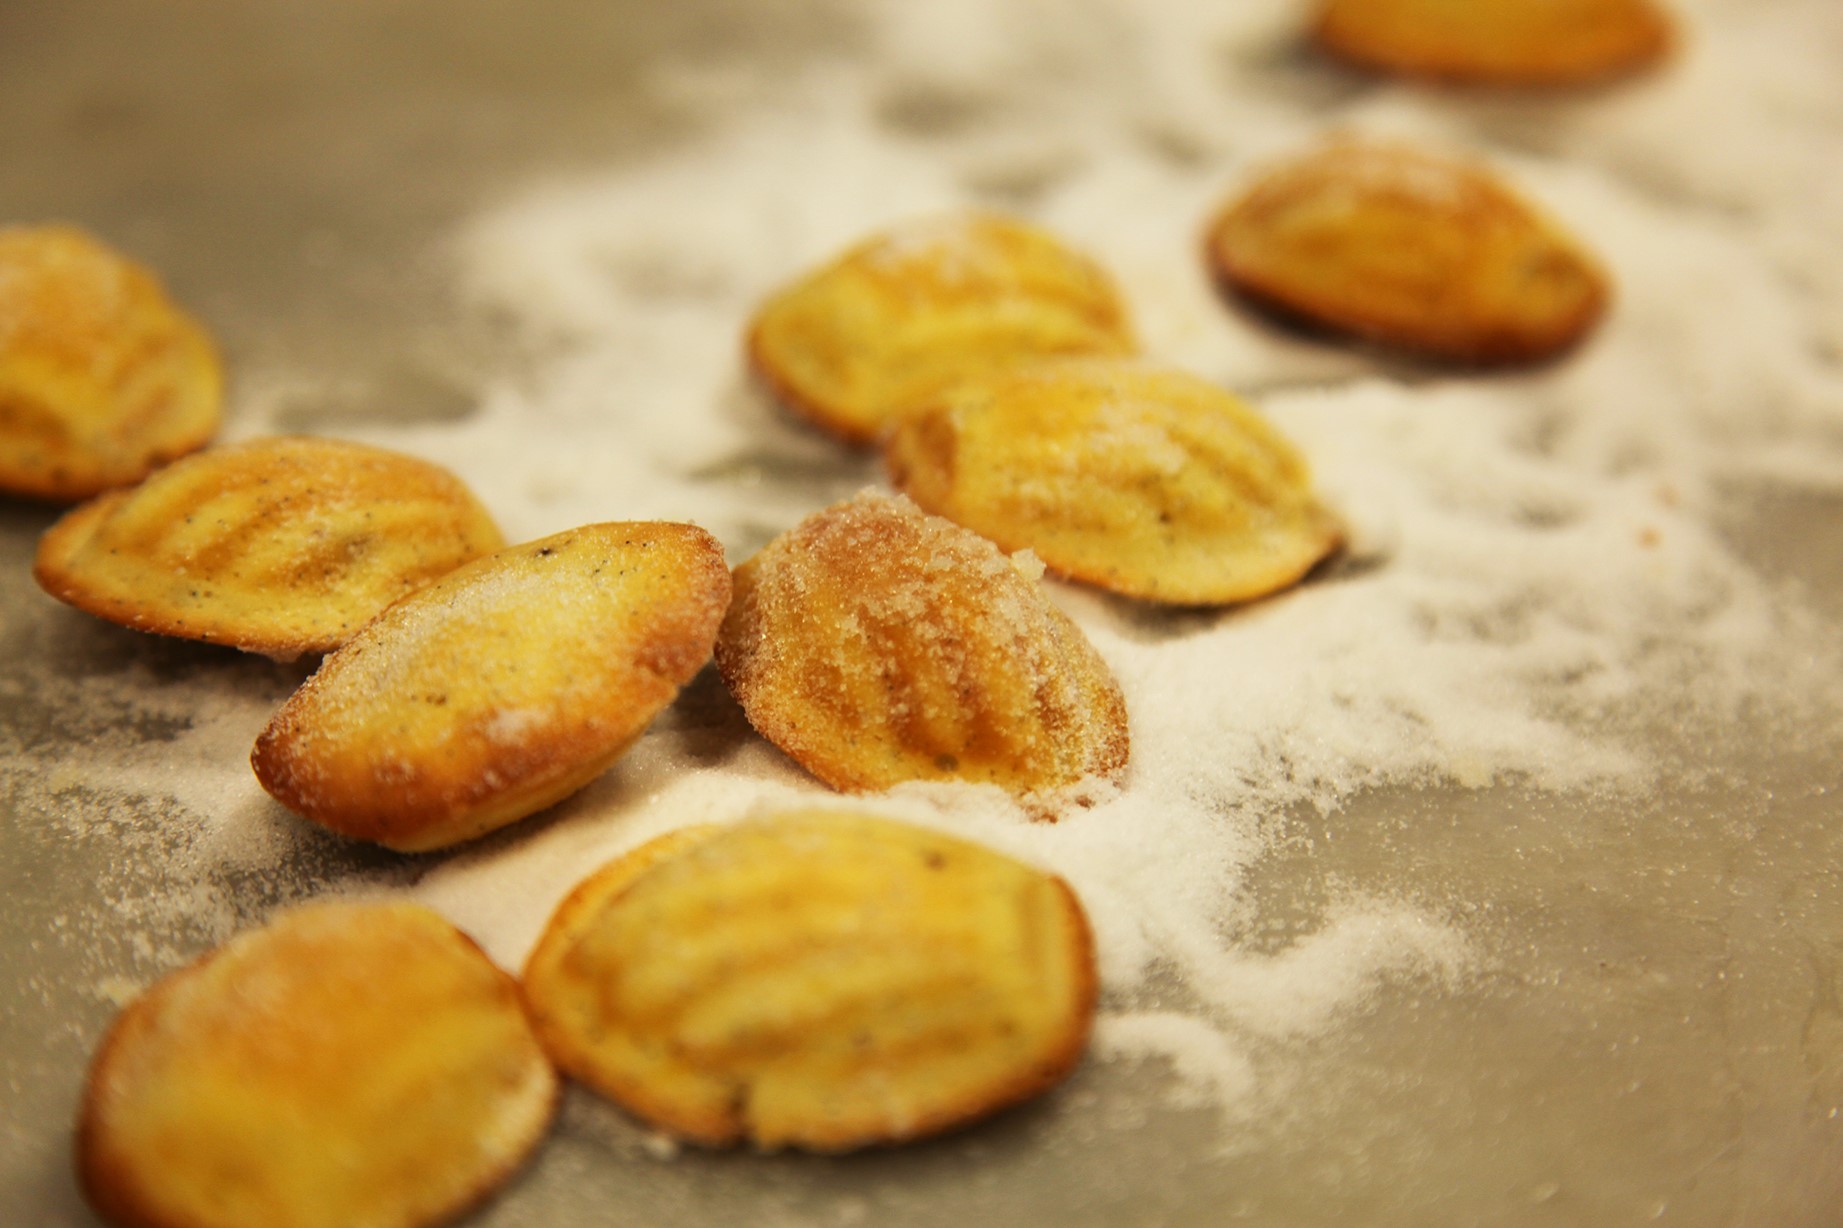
(346, 1067)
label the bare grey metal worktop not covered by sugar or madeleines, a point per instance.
(1661, 1035)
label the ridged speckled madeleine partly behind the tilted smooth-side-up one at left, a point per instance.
(277, 547)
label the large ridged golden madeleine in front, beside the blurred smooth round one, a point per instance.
(816, 980)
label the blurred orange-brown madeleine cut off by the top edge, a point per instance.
(1497, 41)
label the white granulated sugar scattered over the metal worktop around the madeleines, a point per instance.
(1534, 556)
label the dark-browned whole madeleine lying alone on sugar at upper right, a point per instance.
(1411, 250)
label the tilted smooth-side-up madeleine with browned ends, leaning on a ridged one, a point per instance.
(500, 689)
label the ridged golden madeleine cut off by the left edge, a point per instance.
(102, 377)
